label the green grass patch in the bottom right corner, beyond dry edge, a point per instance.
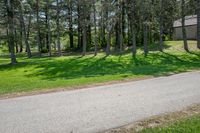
(190, 125)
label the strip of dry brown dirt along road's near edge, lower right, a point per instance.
(156, 121)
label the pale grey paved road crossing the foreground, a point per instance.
(99, 108)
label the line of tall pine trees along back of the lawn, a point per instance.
(53, 26)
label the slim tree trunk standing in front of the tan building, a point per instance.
(183, 26)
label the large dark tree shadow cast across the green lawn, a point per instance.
(154, 64)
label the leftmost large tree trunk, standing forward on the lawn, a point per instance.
(11, 43)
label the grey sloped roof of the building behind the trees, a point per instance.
(189, 20)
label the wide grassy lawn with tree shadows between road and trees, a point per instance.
(49, 73)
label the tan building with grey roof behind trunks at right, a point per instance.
(190, 25)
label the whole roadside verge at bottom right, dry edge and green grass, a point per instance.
(185, 121)
